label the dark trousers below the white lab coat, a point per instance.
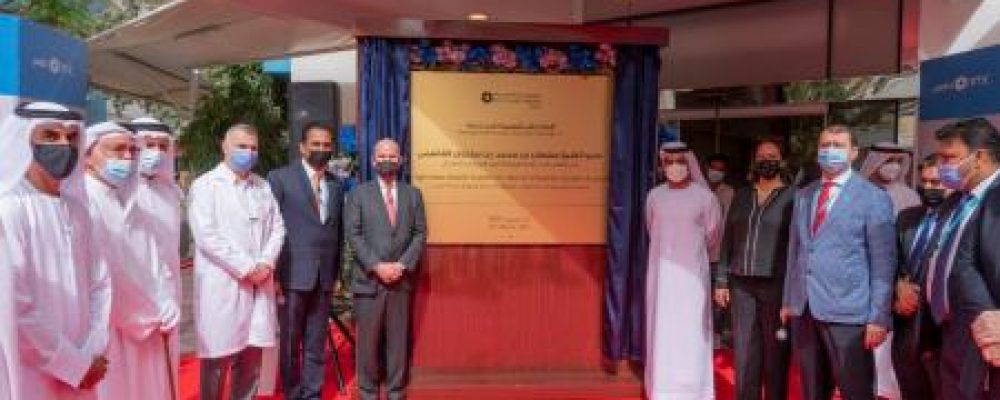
(244, 368)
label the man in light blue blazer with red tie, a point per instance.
(841, 270)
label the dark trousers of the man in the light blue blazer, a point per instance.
(830, 355)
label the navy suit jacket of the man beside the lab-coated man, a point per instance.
(312, 248)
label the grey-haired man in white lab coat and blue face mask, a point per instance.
(238, 233)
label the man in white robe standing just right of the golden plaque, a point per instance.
(683, 218)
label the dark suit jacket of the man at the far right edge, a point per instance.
(974, 283)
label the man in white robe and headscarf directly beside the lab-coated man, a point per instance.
(156, 207)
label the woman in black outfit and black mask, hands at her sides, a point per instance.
(751, 272)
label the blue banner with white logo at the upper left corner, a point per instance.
(47, 64)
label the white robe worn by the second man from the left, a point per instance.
(137, 362)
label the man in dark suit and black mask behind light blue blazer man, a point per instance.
(916, 341)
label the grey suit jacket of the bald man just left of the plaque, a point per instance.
(374, 240)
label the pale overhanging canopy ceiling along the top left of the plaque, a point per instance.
(153, 56)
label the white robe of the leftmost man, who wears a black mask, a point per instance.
(62, 294)
